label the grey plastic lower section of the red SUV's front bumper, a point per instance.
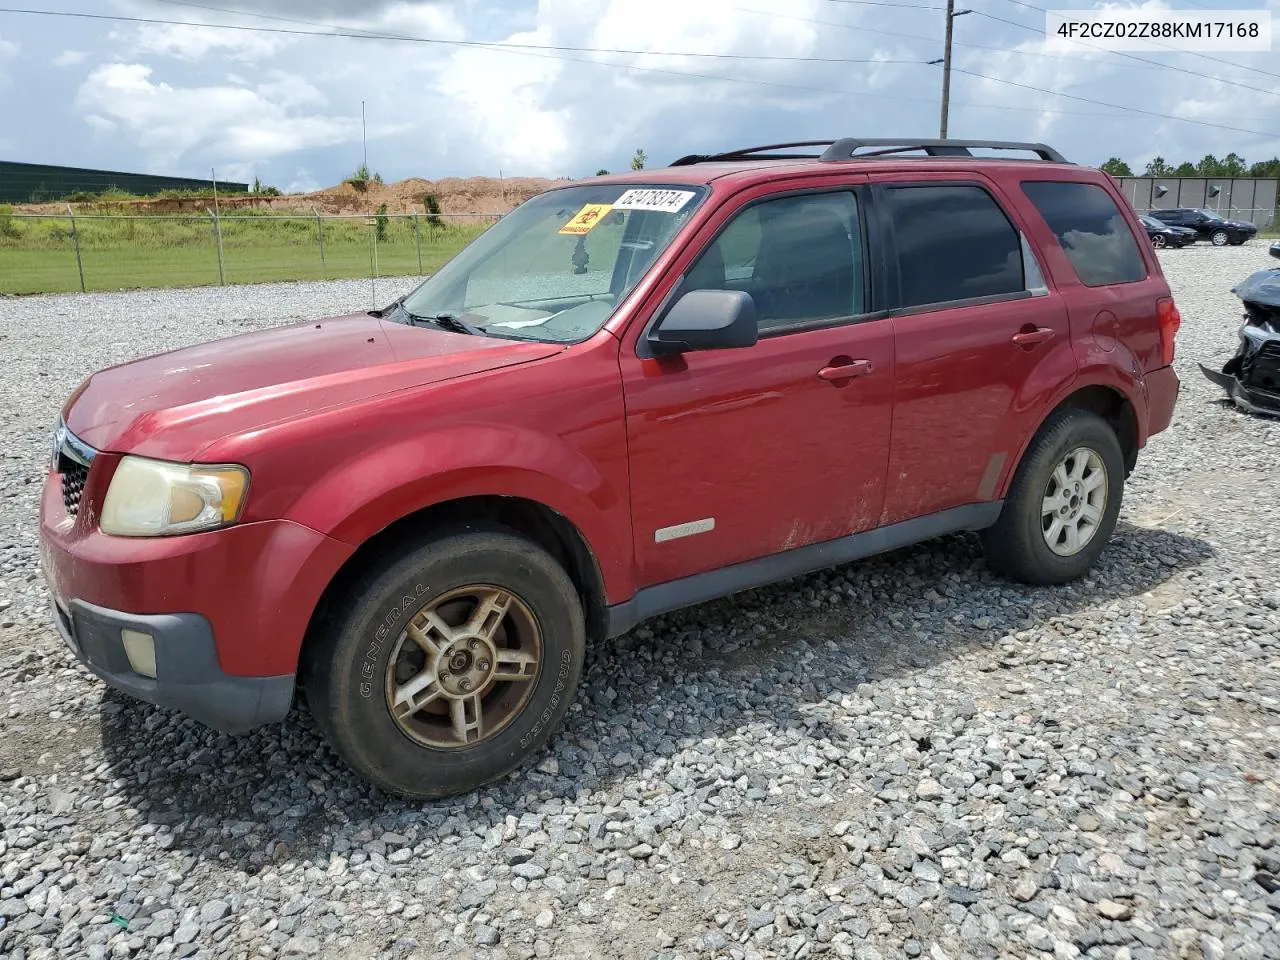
(188, 674)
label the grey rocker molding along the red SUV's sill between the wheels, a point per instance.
(715, 584)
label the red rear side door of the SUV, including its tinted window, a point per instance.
(981, 342)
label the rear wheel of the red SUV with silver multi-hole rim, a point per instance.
(1063, 504)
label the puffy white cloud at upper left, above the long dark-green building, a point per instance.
(245, 124)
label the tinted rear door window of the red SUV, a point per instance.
(954, 243)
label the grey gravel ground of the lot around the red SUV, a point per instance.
(904, 757)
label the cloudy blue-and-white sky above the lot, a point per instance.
(273, 102)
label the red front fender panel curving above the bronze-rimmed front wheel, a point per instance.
(362, 497)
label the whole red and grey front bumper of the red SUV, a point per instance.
(228, 610)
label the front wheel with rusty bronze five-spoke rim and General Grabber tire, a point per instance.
(449, 666)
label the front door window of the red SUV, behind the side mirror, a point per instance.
(801, 259)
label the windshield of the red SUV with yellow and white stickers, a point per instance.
(557, 267)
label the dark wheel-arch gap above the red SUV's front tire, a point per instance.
(541, 524)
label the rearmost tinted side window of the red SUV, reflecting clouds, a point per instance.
(1092, 231)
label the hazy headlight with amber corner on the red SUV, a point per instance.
(157, 499)
